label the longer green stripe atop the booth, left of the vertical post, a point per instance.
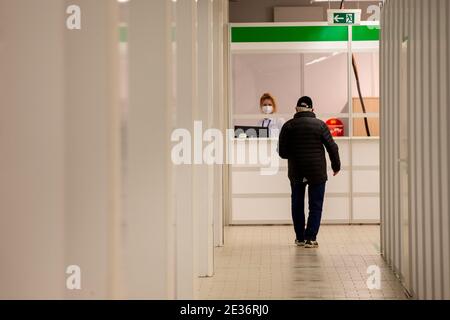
(289, 34)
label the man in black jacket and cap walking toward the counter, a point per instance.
(302, 142)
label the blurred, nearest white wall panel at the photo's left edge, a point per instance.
(32, 149)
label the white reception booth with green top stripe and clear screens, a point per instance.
(290, 61)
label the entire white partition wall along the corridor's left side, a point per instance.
(81, 204)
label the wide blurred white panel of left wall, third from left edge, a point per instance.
(148, 266)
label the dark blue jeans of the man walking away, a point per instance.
(316, 194)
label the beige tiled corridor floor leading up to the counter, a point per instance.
(262, 262)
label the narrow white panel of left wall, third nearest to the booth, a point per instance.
(186, 108)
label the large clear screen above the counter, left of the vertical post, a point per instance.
(287, 77)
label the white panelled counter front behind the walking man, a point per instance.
(351, 197)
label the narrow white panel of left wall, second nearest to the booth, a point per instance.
(204, 188)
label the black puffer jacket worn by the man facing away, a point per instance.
(302, 142)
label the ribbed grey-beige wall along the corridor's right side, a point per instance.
(425, 26)
